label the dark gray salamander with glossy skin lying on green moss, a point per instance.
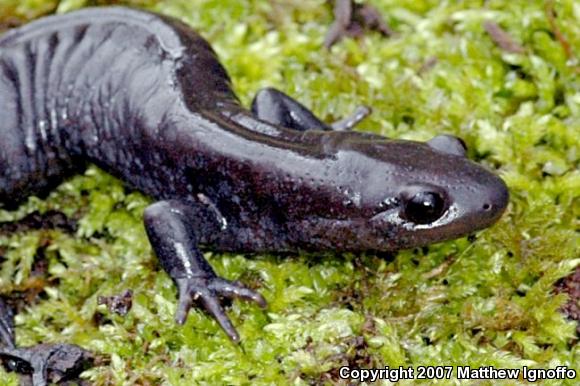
(144, 97)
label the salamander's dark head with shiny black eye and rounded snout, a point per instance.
(413, 194)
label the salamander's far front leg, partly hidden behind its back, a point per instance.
(275, 107)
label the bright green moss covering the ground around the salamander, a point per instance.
(479, 303)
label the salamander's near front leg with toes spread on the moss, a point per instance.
(172, 227)
